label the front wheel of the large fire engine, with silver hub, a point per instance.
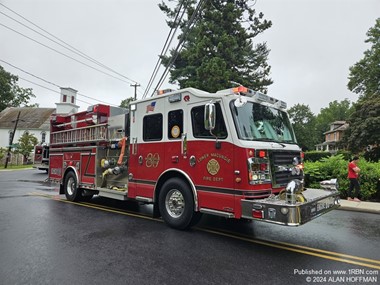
(176, 204)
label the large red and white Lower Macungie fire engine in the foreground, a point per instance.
(232, 153)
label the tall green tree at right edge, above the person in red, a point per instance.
(364, 80)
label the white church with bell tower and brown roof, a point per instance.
(33, 120)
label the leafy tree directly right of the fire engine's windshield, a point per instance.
(303, 121)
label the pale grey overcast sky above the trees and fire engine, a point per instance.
(313, 43)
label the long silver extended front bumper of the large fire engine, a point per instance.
(274, 210)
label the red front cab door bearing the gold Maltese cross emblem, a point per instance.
(211, 161)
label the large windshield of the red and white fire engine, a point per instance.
(259, 122)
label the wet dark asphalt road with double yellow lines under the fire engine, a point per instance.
(44, 240)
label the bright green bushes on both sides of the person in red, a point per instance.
(336, 167)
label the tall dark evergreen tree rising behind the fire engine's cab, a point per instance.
(219, 47)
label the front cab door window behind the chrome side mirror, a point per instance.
(197, 121)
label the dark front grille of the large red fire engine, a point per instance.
(282, 165)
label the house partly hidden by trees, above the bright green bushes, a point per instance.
(332, 137)
